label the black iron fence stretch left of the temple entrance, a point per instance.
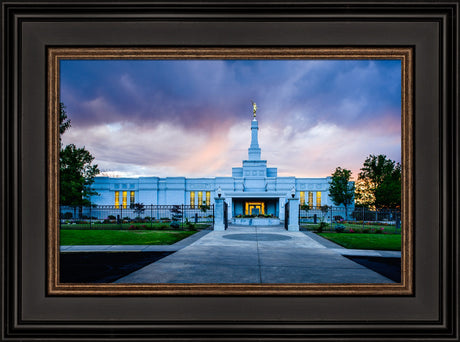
(136, 217)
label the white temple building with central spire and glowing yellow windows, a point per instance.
(253, 188)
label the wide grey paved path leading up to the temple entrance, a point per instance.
(255, 255)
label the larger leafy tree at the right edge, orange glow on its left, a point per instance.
(384, 179)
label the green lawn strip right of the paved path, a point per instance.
(390, 242)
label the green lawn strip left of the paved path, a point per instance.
(121, 237)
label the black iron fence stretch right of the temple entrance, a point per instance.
(358, 219)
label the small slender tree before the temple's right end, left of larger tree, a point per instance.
(341, 189)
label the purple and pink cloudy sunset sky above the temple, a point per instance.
(192, 118)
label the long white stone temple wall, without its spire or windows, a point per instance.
(176, 190)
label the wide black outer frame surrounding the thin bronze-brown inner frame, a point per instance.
(30, 28)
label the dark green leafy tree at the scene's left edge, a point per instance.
(76, 170)
